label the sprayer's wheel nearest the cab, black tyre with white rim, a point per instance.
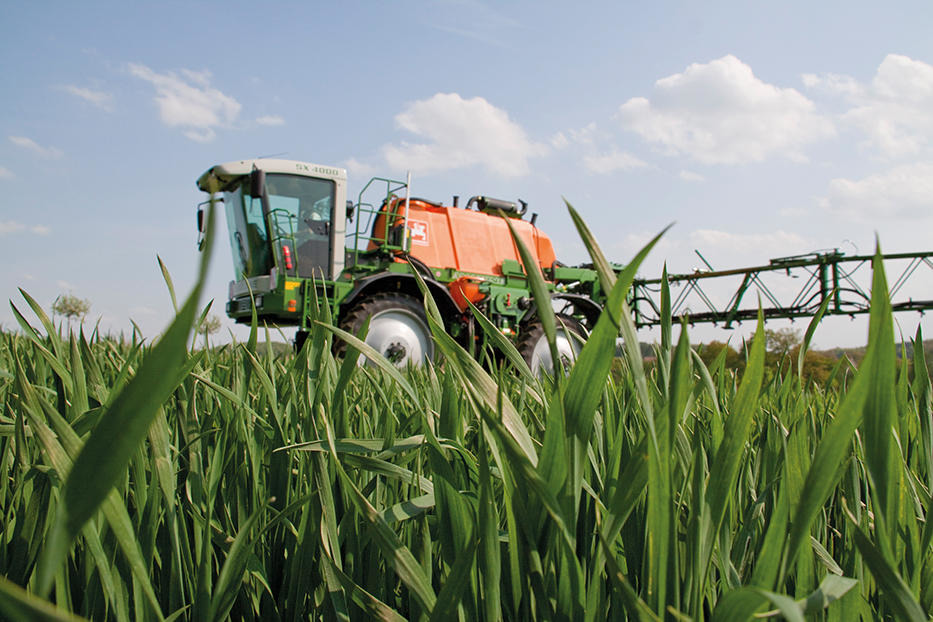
(398, 328)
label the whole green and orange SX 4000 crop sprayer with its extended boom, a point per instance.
(295, 239)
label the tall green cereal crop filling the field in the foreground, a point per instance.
(165, 481)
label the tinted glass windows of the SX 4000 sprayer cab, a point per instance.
(294, 232)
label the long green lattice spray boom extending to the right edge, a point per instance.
(844, 279)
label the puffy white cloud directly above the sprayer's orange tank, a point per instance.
(460, 133)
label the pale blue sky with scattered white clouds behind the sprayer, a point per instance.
(760, 129)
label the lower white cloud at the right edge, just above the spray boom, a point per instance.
(904, 192)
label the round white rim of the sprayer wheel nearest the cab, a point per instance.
(400, 336)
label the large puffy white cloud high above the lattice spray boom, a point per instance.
(720, 113)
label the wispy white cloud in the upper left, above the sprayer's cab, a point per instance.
(189, 101)
